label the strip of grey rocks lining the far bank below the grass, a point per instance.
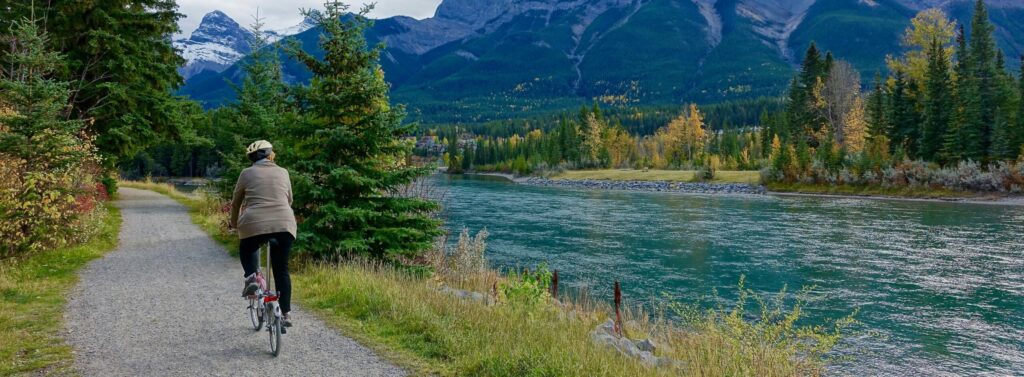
(657, 187)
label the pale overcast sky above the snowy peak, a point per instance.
(284, 14)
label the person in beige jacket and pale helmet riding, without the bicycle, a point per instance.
(264, 193)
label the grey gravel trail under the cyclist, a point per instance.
(167, 304)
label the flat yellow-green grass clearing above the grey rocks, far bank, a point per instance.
(750, 178)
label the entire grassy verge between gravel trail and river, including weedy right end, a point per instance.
(408, 320)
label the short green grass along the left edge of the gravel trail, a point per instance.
(33, 294)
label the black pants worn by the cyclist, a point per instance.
(249, 250)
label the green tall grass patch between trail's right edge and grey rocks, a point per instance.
(452, 337)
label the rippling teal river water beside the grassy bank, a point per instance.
(941, 286)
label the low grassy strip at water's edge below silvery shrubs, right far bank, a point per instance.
(868, 191)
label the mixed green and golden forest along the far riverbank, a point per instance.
(949, 114)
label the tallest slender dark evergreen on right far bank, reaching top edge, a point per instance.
(985, 75)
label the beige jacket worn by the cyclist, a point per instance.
(264, 195)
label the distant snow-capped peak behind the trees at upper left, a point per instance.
(221, 41)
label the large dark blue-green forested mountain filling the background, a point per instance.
(482, 60)
